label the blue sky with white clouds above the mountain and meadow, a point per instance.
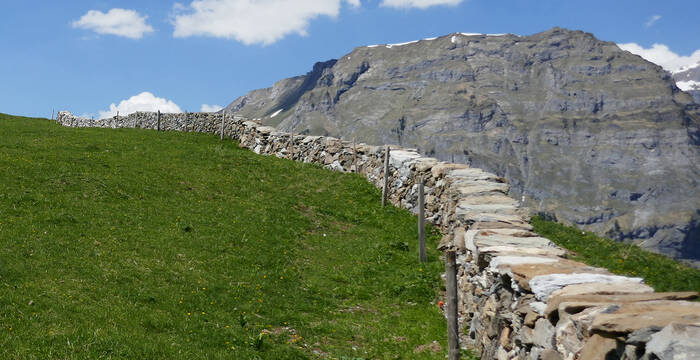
(84, 56)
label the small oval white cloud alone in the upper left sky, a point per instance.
(120, 22)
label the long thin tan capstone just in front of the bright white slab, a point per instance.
(575, 303)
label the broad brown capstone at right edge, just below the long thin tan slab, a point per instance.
(630, 317)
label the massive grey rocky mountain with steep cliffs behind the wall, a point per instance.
(584, 131)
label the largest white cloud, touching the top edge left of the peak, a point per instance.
(251, 21)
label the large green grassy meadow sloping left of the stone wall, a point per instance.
(136, 244)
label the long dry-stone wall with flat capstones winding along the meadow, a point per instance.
(520, 297)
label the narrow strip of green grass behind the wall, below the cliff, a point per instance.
(660, 272)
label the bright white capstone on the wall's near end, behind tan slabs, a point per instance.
(543, 285)
